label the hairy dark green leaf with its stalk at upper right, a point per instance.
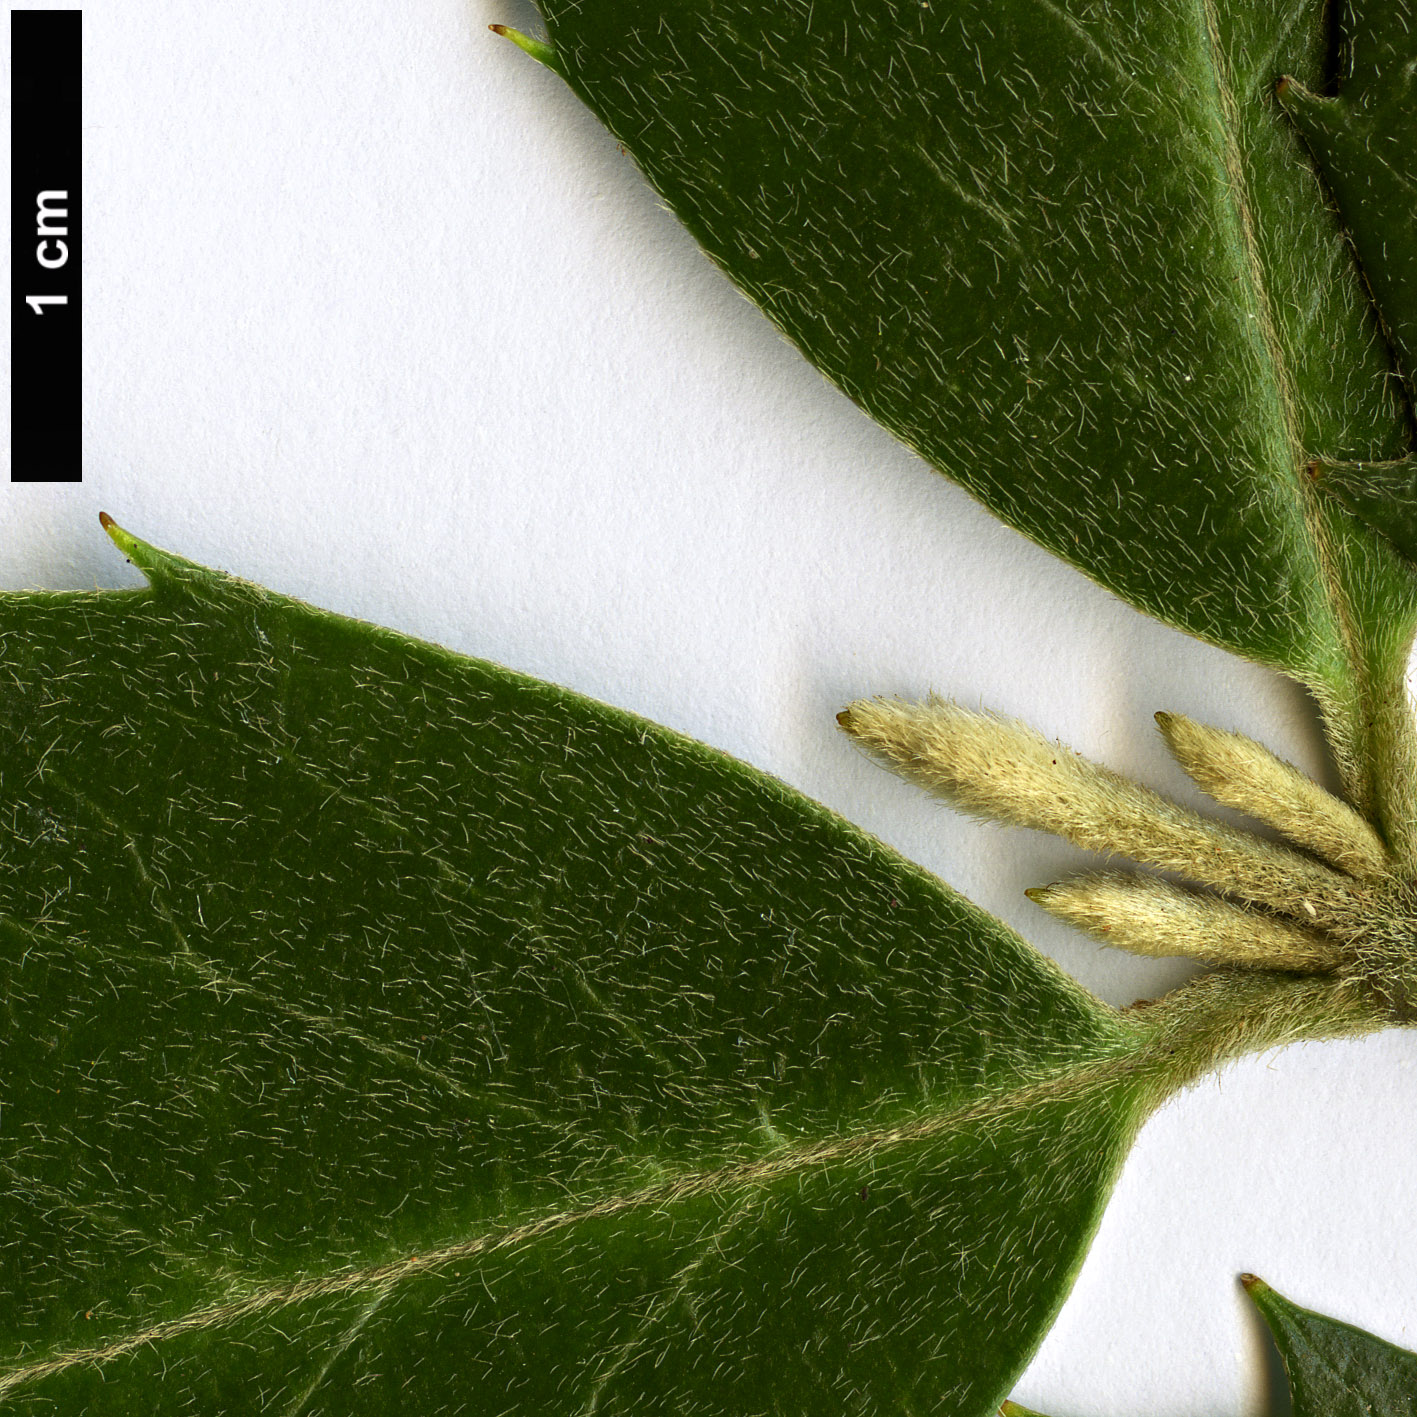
(1075, 256)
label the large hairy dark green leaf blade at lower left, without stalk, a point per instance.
(388, 1032)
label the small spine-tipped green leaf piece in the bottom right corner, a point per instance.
(1336, 1370)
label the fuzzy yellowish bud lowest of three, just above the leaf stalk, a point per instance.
(1150, 916)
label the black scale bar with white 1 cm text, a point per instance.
(46, 304)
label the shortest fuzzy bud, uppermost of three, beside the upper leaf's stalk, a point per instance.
(1246, 776)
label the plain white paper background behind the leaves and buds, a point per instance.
(379, 317)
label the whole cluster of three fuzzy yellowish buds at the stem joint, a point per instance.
(1330, 901)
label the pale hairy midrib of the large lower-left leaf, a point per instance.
(1056, 1086)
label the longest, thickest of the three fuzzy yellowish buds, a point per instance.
(1004, 770)
